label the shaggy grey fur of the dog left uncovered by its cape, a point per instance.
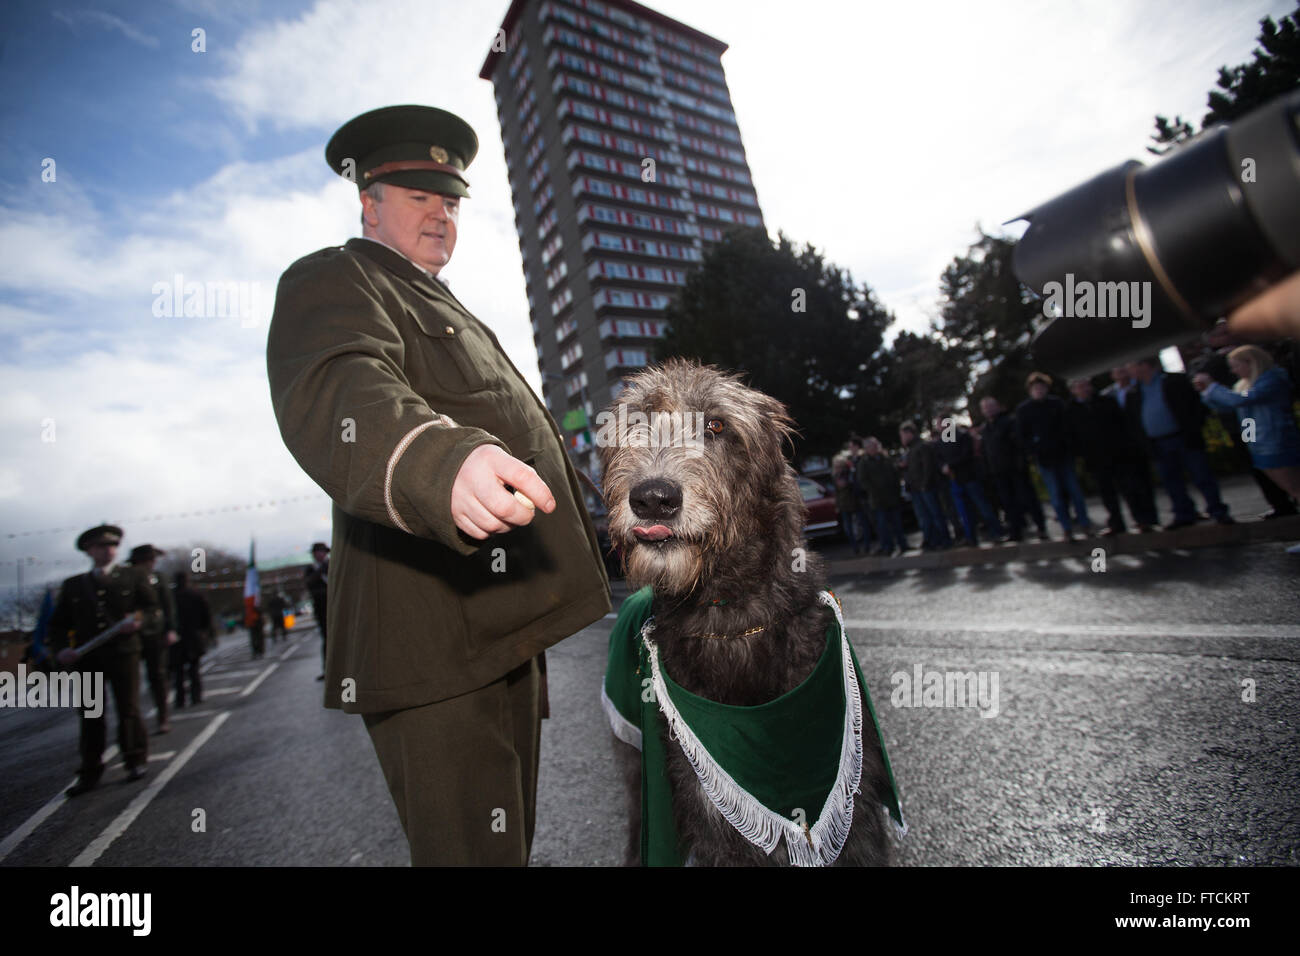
(734, 507)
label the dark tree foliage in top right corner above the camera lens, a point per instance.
(1273, 72)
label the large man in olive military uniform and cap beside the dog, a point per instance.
(462, 548)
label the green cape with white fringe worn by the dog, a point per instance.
(788, 768)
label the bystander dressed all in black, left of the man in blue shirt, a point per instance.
(1100, 432)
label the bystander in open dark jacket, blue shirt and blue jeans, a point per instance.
(1165, 409)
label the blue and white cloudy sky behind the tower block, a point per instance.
(153, 145)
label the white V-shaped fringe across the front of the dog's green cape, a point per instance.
(818, 845)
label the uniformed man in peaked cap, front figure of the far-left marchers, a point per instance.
(90, 604)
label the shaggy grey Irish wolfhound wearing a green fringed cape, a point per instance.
(709, 514)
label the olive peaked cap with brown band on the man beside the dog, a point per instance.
(418, 148)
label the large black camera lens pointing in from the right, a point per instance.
(1141, 258)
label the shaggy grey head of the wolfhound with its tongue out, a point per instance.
(696, 478)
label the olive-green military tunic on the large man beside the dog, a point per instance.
(383, 383)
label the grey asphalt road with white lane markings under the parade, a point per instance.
(1121, 734)
